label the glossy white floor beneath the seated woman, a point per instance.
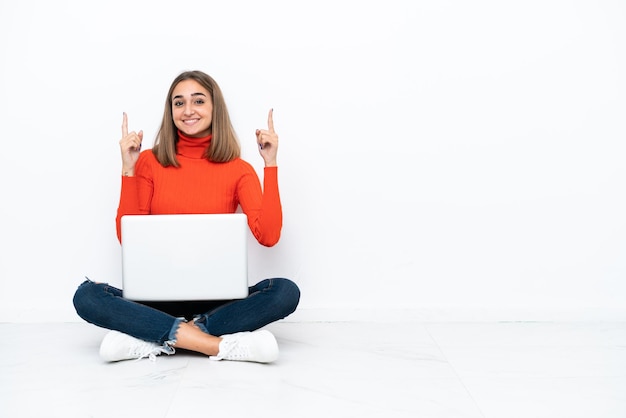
(489, 370)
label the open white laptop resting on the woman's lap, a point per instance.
(184, 257)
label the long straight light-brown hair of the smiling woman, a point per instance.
(224, 144)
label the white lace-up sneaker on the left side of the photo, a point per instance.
(117, 346)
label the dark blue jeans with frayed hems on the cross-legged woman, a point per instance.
(158, 322)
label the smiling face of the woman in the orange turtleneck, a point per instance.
(192, 109)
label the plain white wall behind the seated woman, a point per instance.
(438, 159)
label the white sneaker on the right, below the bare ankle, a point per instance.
(258, 346)
